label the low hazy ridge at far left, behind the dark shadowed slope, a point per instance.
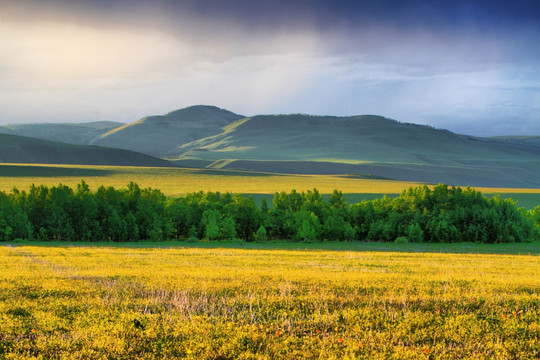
(82, 133)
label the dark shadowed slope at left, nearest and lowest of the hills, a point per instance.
(20, 149)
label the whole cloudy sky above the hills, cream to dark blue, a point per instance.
(472, 67)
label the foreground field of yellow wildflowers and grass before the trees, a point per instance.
(211, 302)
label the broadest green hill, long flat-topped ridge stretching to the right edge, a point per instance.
(365, 145)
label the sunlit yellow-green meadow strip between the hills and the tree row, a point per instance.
(177, 181)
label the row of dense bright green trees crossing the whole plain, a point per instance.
(420, 214)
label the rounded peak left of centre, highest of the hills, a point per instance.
(157, 135)
